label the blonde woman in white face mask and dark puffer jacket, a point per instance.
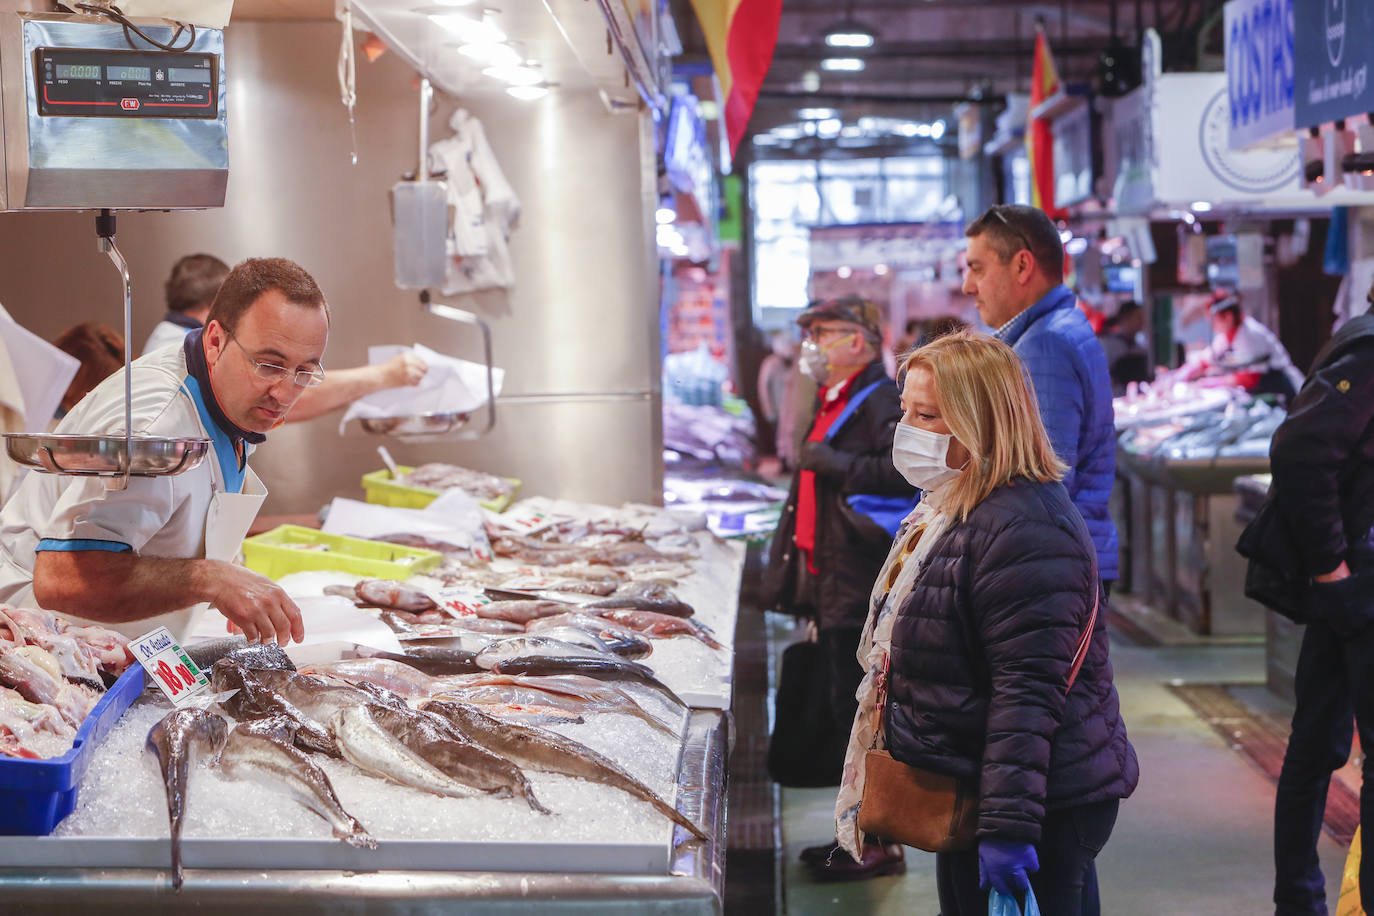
(983, 610)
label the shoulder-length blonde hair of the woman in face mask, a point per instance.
(986, 399)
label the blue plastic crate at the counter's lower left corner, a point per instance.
(35, 796)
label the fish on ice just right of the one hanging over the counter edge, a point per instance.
(255, 757)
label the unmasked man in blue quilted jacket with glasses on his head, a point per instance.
(1016, 275)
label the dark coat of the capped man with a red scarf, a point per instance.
(850, 549)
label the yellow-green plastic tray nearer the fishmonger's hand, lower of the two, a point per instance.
(281, 551)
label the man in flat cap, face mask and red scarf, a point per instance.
(825, 554)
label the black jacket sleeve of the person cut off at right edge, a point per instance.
(1310, 454)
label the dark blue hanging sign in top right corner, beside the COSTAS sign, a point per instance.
(1333, 60)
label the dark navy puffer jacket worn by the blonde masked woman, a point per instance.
(980, 657)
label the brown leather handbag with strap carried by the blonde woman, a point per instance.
(931, 811)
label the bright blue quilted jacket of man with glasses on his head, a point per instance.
(1070, 373)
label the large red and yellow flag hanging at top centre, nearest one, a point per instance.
(741, 36)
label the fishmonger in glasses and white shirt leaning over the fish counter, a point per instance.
(160, 551)
